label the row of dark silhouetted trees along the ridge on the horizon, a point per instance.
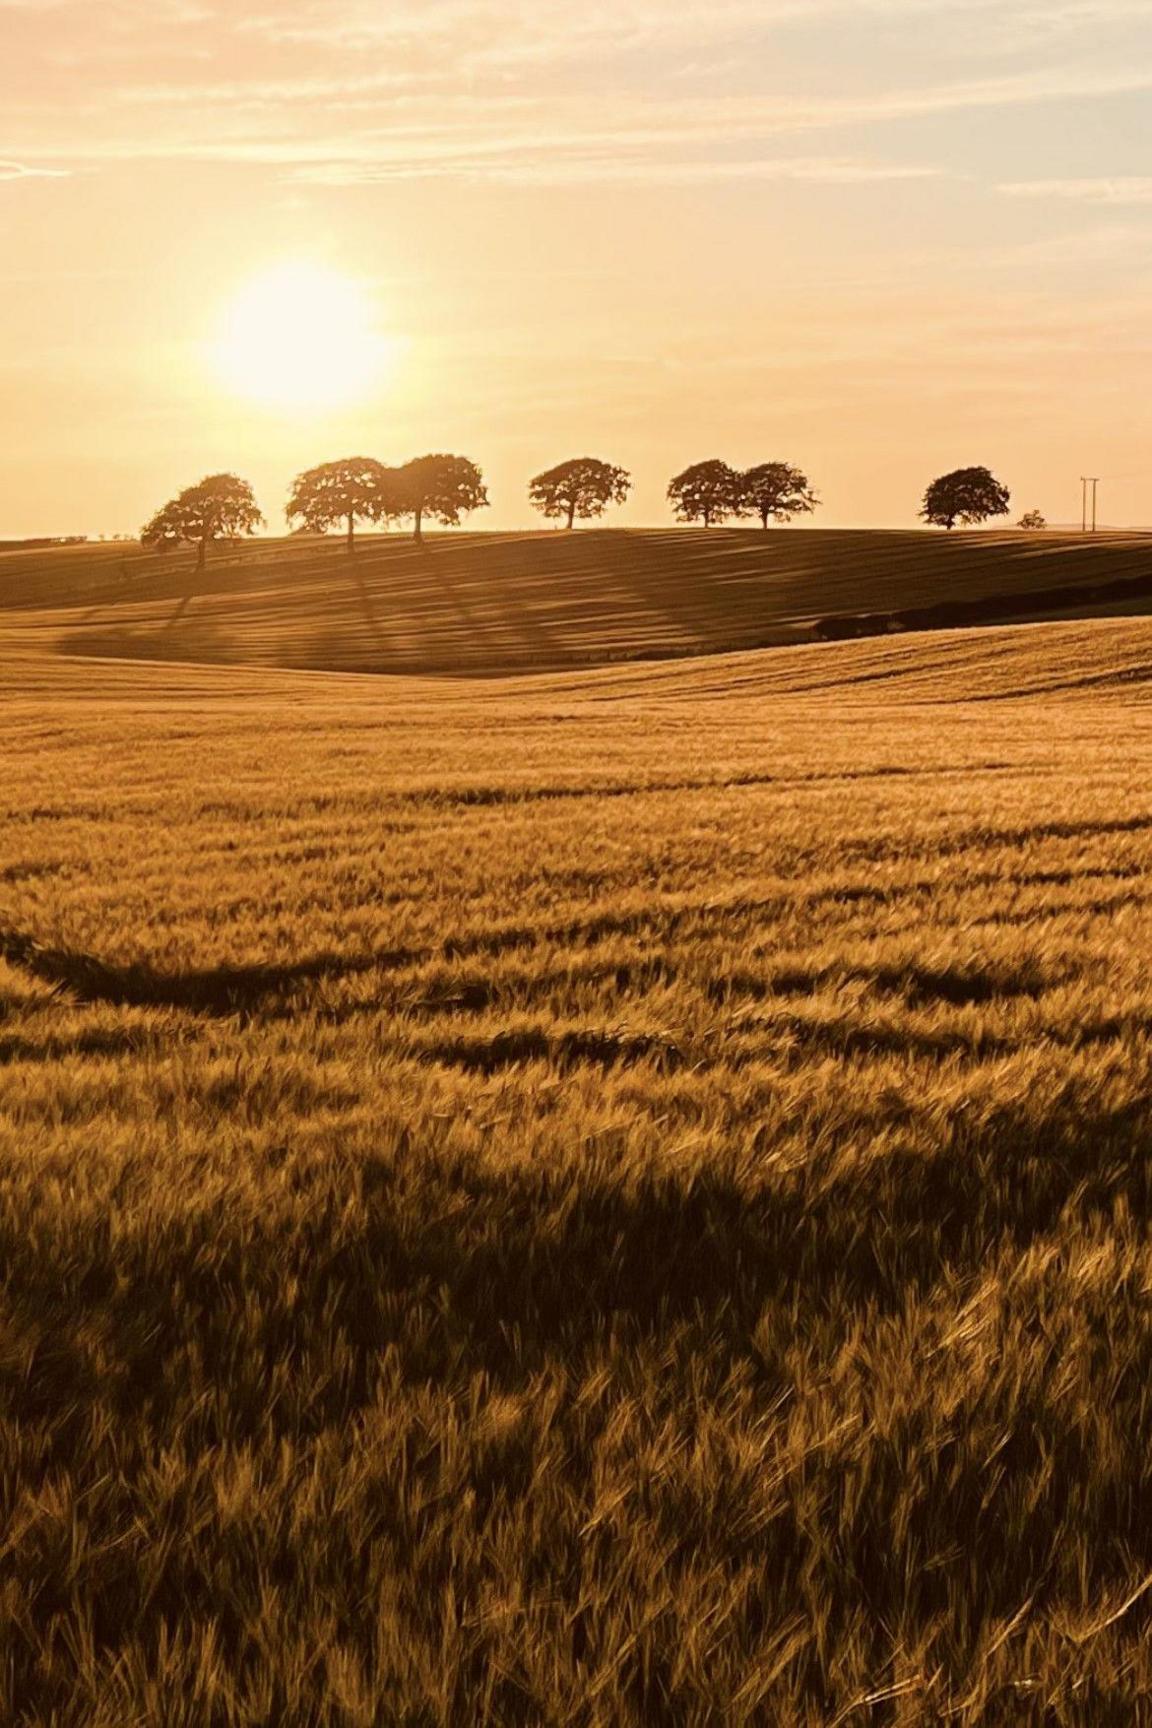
(443, 488)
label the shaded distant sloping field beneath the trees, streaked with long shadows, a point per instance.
(486, 602)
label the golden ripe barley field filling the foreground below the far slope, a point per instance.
(604, 1198)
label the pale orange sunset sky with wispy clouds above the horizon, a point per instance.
(873, 238)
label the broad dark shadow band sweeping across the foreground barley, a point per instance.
(538, 1264)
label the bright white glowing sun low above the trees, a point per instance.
(303, 338)
